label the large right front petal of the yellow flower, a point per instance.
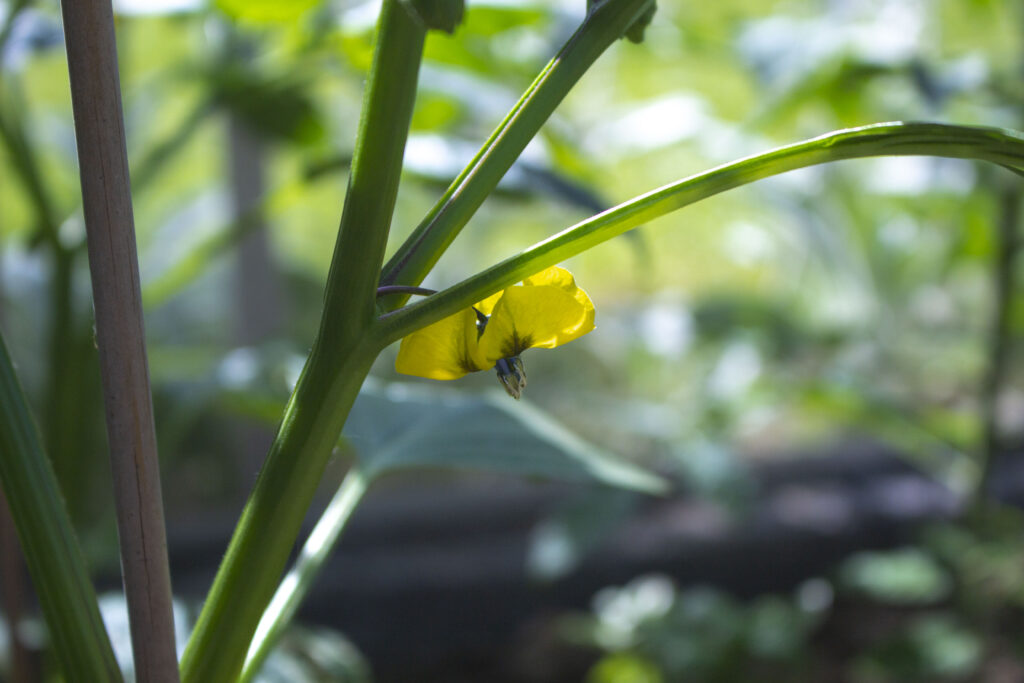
(530, 316)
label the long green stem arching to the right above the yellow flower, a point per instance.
(1000, 147)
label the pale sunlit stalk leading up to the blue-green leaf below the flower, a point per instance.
(297, 583)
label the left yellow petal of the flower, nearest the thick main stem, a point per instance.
(445, 351)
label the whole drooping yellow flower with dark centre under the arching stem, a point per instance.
(544, 311)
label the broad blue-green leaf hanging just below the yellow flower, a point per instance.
(405, 426)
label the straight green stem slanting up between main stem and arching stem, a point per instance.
(417, 257)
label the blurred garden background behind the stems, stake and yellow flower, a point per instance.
(823, 364)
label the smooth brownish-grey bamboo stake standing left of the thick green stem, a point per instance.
(103, 158)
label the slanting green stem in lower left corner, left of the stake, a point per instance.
(52, 550)
